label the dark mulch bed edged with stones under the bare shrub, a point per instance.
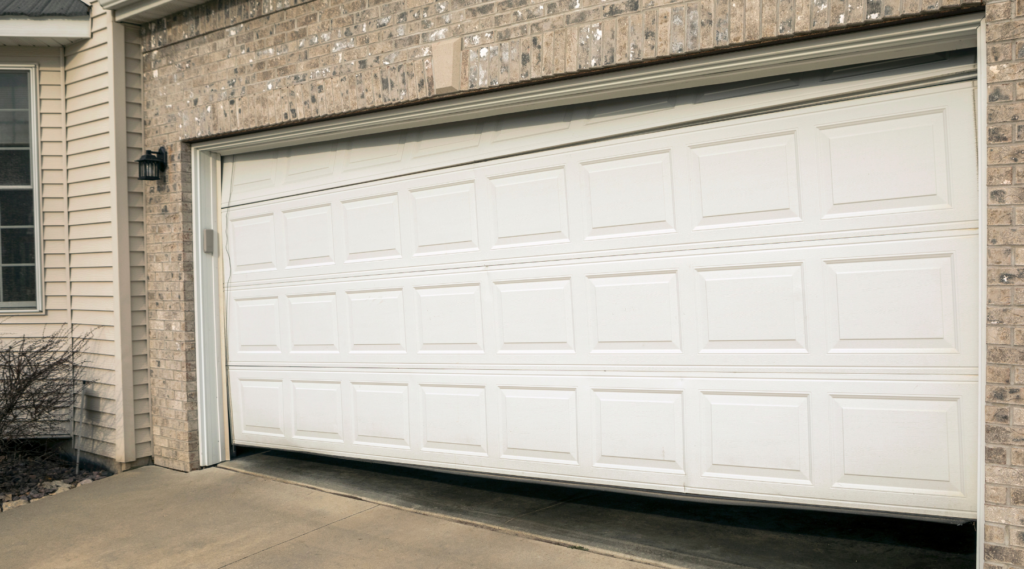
(33, 473)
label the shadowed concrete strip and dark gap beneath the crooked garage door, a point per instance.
(652, 532)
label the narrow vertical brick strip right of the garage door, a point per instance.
(1005, 402)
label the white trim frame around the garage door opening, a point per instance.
(928, 37)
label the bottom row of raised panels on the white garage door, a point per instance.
(884, 444)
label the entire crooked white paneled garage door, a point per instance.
(781, 307)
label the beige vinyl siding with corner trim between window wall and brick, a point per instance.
(103, 90)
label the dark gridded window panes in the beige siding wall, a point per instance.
(19, 279)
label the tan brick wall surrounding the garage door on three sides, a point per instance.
(235, 66)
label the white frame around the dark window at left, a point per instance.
(34, 150)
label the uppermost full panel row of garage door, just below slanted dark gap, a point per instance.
(798, 176)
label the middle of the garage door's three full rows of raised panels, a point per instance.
(906, 303)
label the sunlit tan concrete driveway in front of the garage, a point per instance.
(154, 517)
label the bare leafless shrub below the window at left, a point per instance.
(39, 381)
